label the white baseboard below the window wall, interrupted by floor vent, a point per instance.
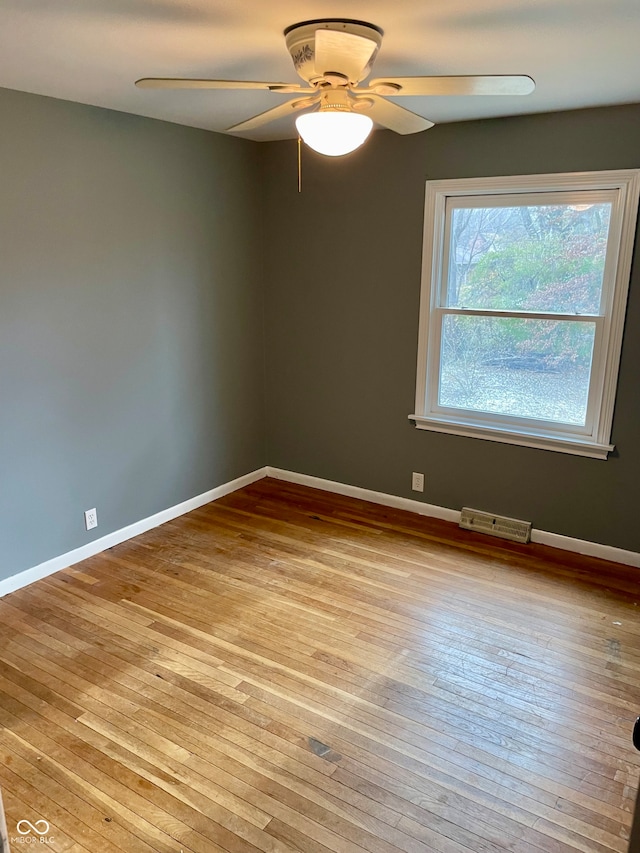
(542, 537)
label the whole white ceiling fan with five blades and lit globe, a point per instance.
(333, 56)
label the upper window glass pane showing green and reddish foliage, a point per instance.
(533, 258)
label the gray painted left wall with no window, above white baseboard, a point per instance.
(131, 320)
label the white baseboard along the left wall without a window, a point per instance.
(22, 579)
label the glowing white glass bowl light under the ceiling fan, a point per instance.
(334, 132)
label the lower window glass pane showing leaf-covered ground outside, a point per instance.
(523, 368)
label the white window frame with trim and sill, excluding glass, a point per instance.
(622, 188)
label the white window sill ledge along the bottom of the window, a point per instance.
(540, 441)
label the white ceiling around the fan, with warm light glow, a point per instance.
(581, 53)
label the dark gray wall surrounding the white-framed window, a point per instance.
(342, 320)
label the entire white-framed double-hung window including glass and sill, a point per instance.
(524, 288)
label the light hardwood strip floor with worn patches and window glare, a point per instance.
(289, 670)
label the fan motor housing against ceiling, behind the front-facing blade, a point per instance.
(301, 44)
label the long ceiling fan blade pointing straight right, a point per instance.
(498, 84)
